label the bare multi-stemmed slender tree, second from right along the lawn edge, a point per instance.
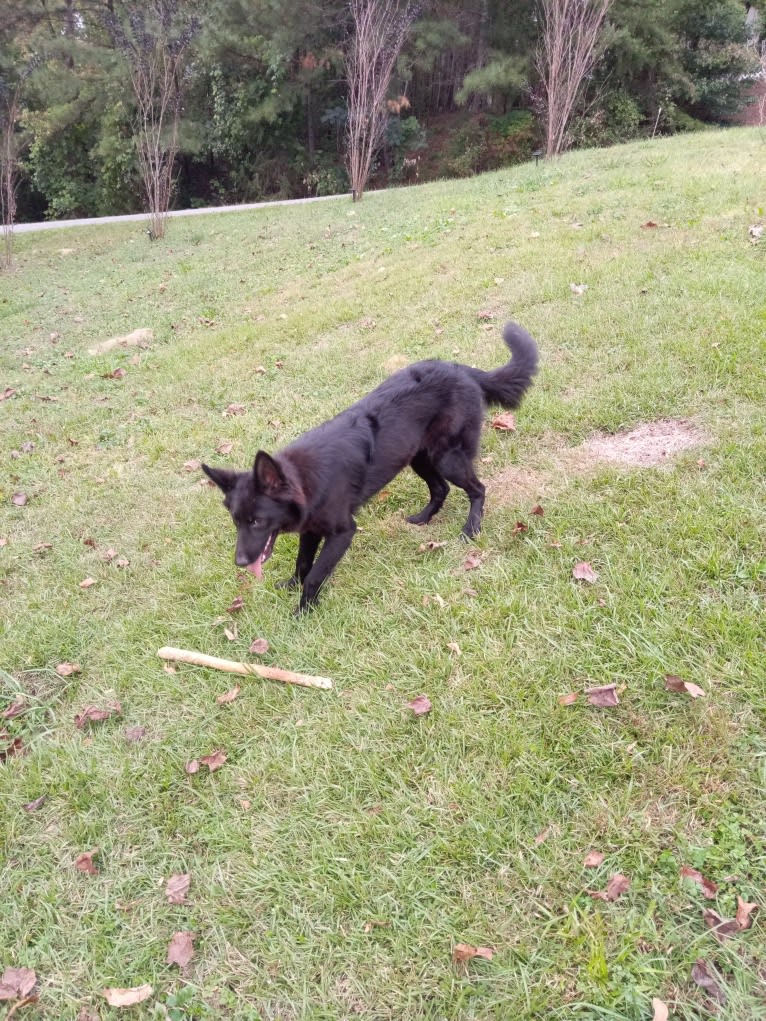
(380, 28)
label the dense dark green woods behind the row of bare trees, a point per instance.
(243, 101)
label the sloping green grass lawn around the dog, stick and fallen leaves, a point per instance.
(337, 810)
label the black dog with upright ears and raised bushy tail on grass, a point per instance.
(428, 416)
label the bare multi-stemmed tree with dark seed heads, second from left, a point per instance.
(156, 39)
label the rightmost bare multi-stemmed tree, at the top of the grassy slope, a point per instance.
(567, 54)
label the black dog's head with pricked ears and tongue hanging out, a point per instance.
(262, 504)
